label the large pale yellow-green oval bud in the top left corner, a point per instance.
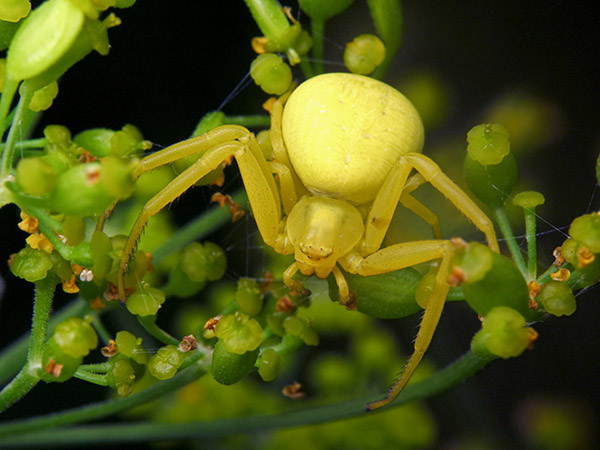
(43, 39)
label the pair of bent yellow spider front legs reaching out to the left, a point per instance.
(215, 146)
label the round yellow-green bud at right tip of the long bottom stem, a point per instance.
(504, 332)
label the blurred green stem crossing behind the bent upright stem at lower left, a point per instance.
(14, 357)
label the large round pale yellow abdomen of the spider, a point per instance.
(343, 133)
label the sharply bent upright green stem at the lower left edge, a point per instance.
(29, 376)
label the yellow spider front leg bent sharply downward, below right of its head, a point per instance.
(398, 257)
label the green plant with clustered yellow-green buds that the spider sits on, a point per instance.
(58, 160)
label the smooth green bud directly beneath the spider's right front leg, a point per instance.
(386, 296)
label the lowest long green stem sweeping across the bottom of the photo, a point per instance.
(465, 367)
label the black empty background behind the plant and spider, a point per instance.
(172, 61)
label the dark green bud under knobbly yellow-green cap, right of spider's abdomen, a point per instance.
(491, 184)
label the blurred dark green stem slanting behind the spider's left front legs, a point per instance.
(205, 224)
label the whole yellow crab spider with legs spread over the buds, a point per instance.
(344, 148)
